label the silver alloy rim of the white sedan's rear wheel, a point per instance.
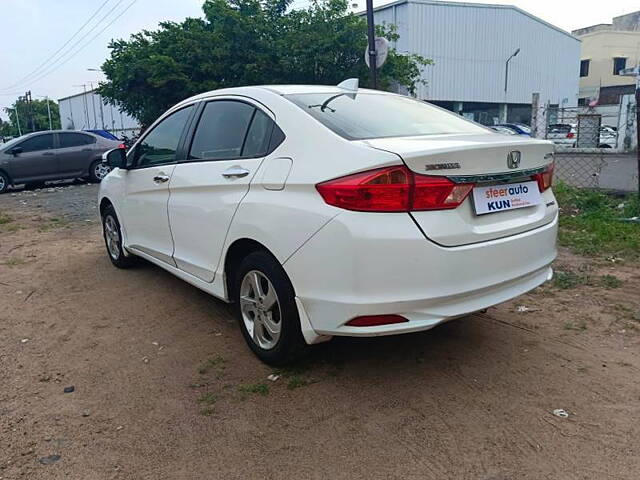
(260, 309)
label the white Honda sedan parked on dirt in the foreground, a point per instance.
(323, 211)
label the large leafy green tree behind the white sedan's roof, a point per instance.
(246, 42)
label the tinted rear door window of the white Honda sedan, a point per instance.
(222, 130)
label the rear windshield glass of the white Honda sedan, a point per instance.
(369, 115)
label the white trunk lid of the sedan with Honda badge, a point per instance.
(481, 160)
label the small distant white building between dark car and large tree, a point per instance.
(89, 111)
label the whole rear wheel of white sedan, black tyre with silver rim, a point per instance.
(266, 309)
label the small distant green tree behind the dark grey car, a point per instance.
(33, 117)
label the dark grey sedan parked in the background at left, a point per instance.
(53, 155)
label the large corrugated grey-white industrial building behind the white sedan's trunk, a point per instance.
(470, 44)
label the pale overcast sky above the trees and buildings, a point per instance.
(33, 54)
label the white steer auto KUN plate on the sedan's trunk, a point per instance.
(506, 197)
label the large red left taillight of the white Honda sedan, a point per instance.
(393, 189)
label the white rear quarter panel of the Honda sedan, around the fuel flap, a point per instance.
(284, 219)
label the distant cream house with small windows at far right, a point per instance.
(607, 49)
